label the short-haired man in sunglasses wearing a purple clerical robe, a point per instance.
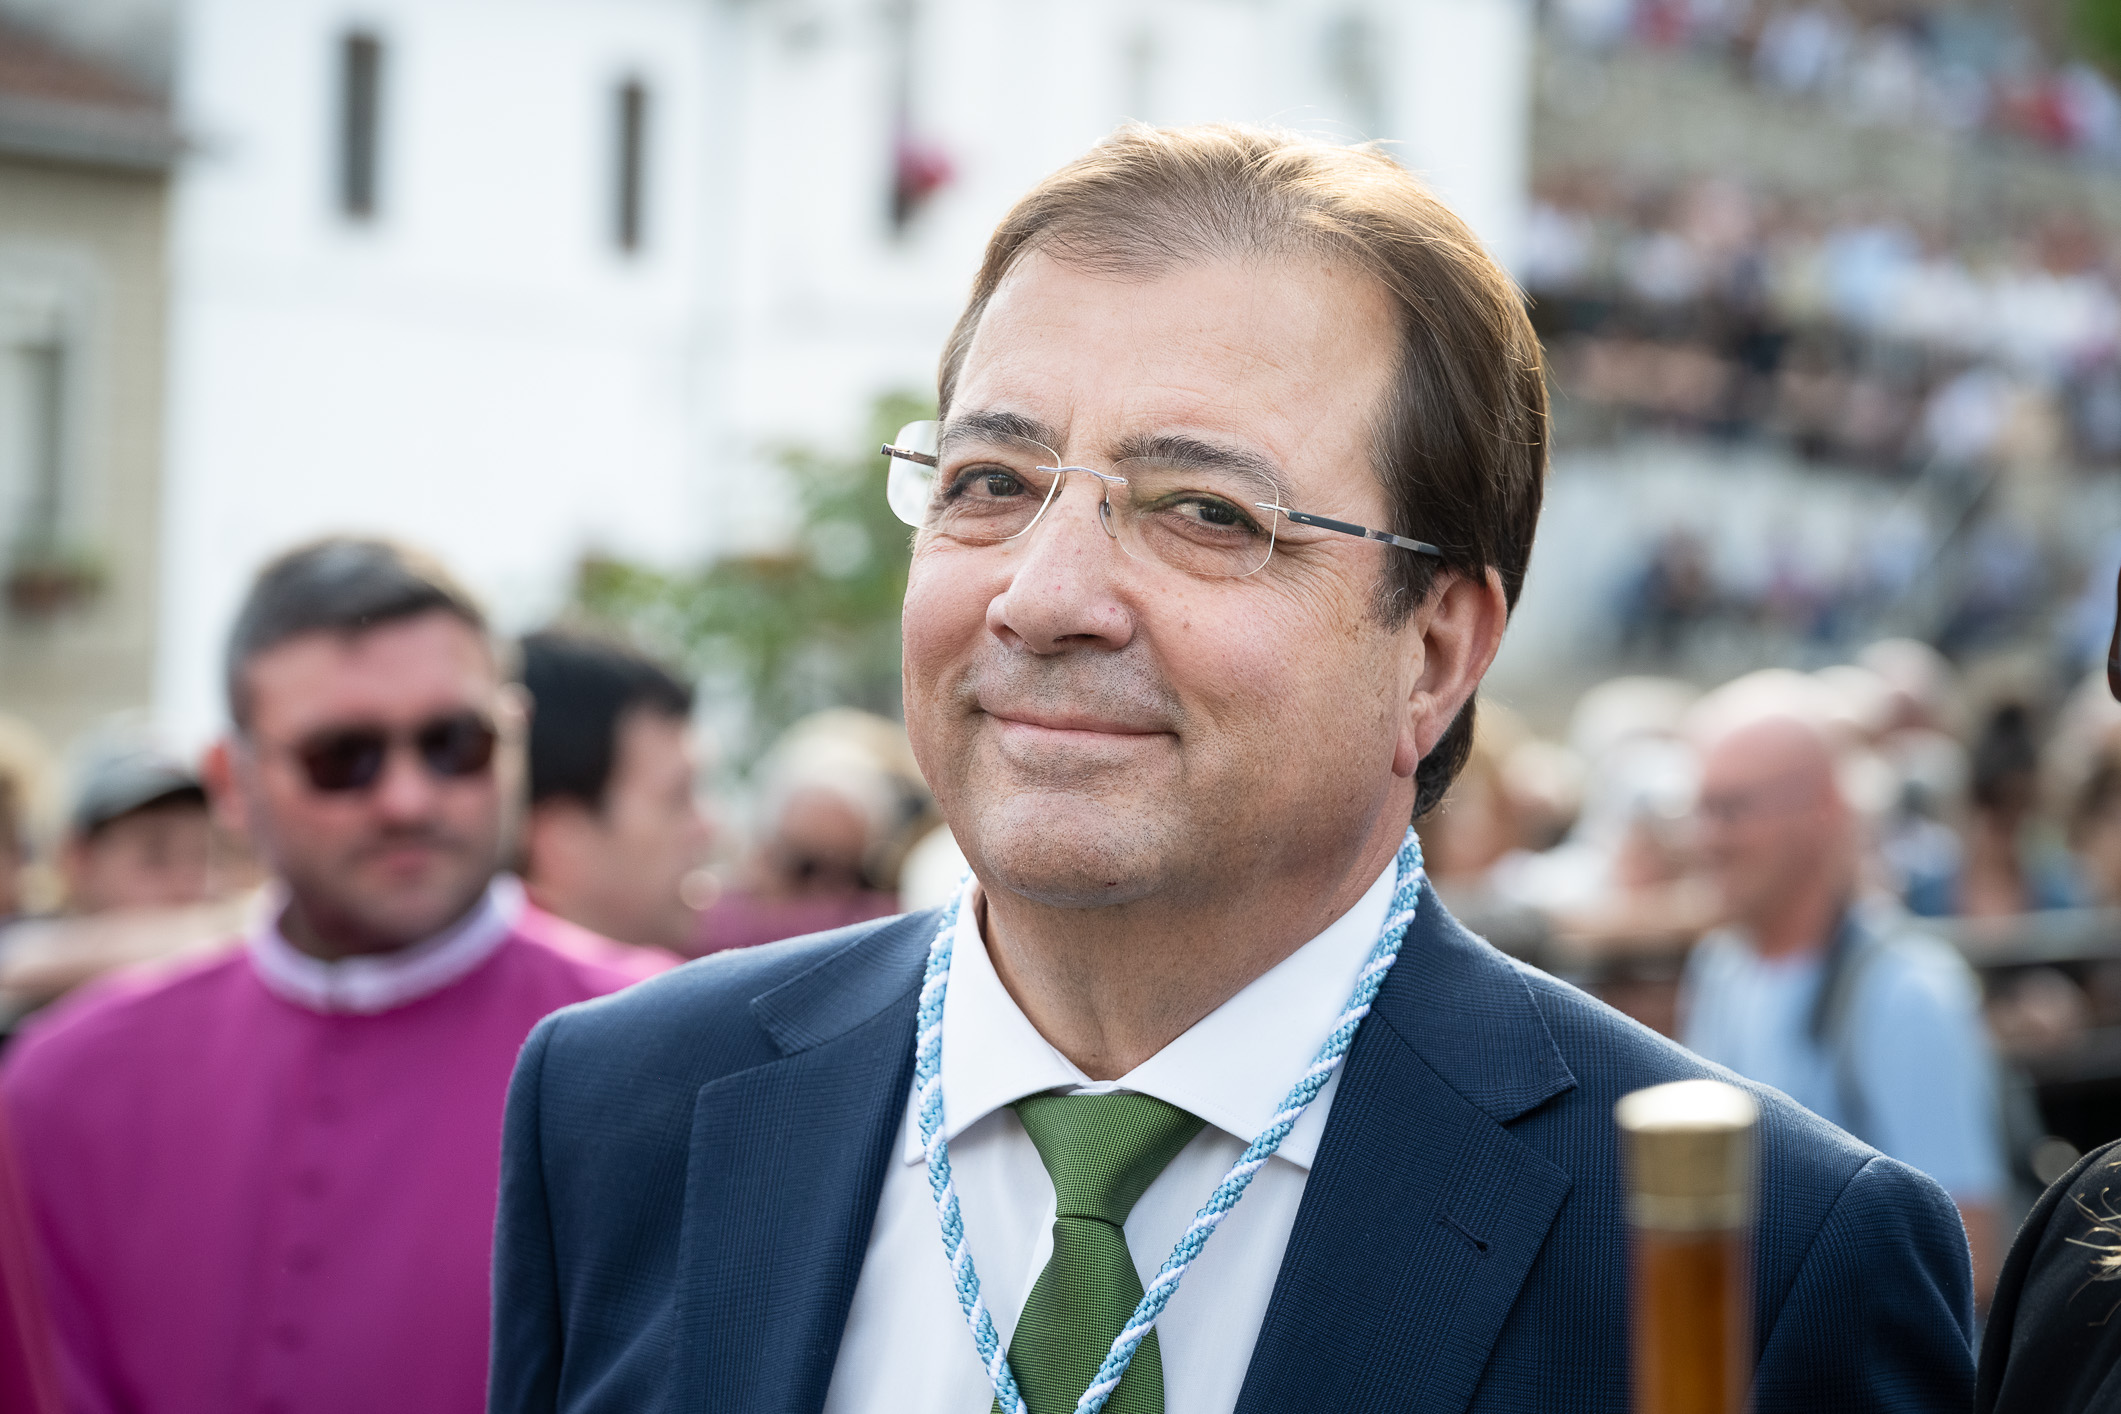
(266, 1182)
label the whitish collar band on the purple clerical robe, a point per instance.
(387, 980)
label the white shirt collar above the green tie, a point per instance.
(1233, 1067)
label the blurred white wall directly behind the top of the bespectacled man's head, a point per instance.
(830, 311)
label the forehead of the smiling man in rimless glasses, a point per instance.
(1282, 355)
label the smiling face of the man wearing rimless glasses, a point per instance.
(1102, 728)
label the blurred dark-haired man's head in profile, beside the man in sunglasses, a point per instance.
(616, 836)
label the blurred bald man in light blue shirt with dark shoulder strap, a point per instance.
(1827, 995)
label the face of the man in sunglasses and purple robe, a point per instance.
(387, 866)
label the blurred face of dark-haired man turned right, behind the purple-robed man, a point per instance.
(623, 870)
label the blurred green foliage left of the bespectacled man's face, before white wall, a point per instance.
(796, 631)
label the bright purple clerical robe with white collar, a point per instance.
(266, 1184)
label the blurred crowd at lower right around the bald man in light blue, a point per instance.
(1713, 862)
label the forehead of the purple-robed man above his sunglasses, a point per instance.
(393, 673)
